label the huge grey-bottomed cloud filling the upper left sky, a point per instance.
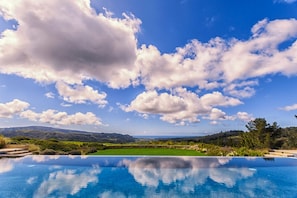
(67, 39)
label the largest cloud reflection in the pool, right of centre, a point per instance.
(189, 172)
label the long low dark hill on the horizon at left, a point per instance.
(40, 132)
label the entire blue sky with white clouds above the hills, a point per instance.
(170, 67)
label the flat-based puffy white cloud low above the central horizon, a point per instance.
(181, 106)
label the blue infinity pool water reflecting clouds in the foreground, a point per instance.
(81, 176)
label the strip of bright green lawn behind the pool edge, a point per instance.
(148, 151)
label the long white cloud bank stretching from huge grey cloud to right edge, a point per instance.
(220, 62)
